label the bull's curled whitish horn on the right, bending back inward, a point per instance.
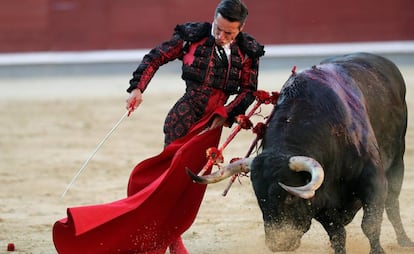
(303, 163)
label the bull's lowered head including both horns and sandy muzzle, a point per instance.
(285, 209)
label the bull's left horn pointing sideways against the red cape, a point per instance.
(239, 166)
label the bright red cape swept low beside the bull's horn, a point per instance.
(162, 203)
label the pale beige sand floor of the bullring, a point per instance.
(51, 121)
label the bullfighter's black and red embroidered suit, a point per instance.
(203, 71)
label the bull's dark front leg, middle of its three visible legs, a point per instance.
(373, 191)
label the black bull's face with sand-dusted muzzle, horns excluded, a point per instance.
(286, 217)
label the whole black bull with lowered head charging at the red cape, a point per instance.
(344, 121)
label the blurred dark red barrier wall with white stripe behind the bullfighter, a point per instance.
(72, 32)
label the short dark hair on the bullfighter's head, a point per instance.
(232, 10)
